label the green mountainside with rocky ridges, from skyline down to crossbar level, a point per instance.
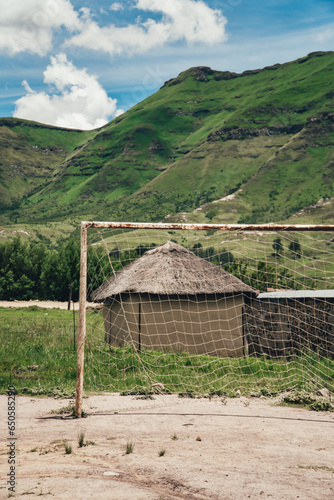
(209, 146)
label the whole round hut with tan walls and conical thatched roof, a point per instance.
(169, 299)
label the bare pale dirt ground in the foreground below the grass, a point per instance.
(194, 449)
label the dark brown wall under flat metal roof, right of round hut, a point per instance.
(282, 327)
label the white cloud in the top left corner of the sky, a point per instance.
(27, 25)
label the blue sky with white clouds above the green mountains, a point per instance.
(79, 63)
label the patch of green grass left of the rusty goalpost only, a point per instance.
(35, 336)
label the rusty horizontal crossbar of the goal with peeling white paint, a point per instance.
(210, 227)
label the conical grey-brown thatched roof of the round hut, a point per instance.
(171, 269)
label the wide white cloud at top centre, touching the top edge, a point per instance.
(190, 20)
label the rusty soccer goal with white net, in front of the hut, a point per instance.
(202, 309)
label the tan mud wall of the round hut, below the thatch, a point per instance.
(197, 325)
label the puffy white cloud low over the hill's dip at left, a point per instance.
(78, 100)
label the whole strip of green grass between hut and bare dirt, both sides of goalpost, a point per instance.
(30, 337)
